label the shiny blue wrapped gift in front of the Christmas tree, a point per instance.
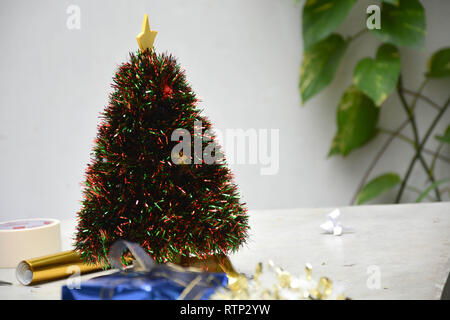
(156, 282)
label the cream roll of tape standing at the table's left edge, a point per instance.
(26, 239)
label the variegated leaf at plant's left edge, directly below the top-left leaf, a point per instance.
(319, 65)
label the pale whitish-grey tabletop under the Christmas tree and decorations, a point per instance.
(407, 245)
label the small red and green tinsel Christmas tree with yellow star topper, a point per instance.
(137, 188)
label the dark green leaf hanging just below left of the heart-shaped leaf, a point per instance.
(357, 118)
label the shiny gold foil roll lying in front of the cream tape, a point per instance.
(52, 267)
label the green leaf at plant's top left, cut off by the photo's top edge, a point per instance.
(322, 17)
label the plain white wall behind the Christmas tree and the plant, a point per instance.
(242, 58)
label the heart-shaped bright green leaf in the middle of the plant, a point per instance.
(377, 78)
